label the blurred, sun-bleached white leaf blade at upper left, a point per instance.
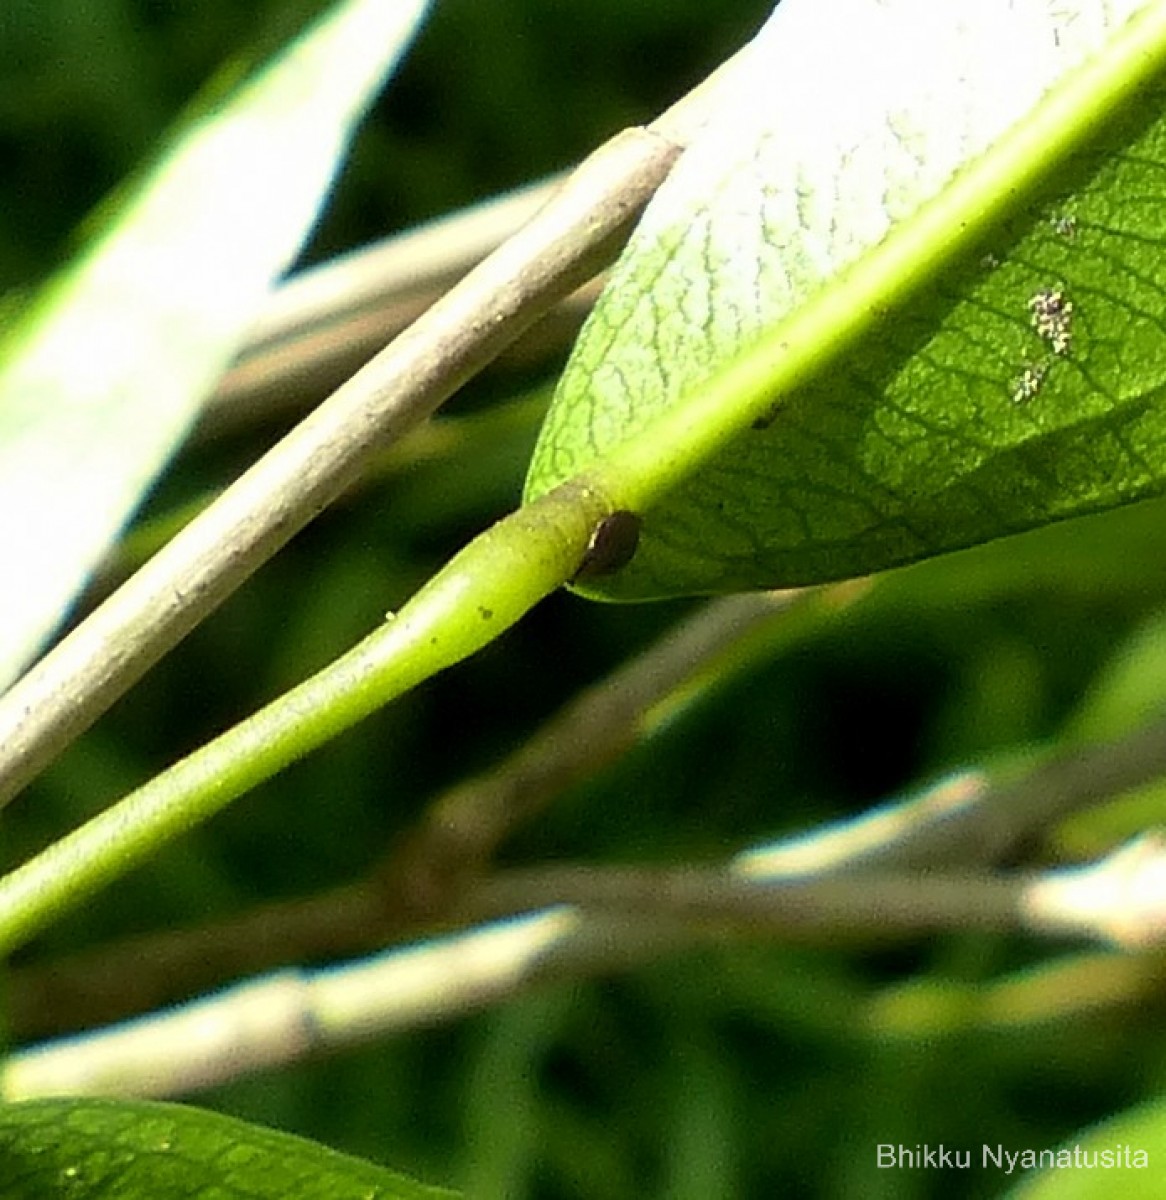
(105, 375)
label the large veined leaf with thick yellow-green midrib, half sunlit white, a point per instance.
(778, 417)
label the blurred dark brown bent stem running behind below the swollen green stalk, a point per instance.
(429, 871)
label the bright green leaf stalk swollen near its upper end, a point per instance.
(482, 592)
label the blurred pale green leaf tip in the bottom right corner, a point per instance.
(1120, 1159)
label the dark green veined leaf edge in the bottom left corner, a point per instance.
(121, 1150)
